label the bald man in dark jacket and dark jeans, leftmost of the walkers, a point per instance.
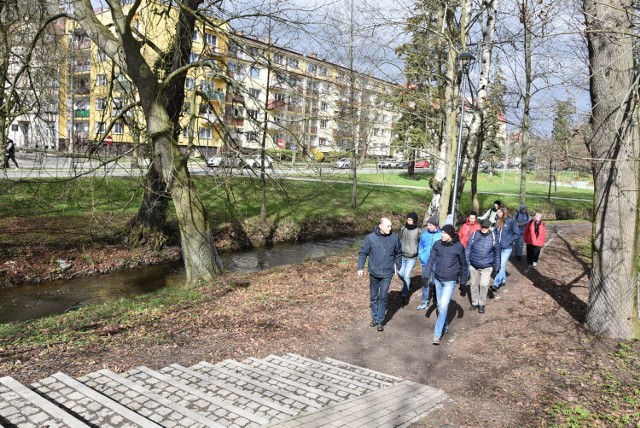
(384, 251)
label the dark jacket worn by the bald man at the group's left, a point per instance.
(384, 252)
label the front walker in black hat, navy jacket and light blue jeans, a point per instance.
(447, 262)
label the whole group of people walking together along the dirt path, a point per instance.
(482, 246)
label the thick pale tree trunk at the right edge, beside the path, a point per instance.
(614, 146)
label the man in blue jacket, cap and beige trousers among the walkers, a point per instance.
(483, 255)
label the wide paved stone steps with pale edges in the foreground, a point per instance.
(286, 391)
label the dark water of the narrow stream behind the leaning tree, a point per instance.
(40, 300)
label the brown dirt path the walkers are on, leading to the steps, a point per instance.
(493, 365)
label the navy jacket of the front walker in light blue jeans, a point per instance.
(447, 260)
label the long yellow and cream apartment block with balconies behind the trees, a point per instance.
(242, 94)
